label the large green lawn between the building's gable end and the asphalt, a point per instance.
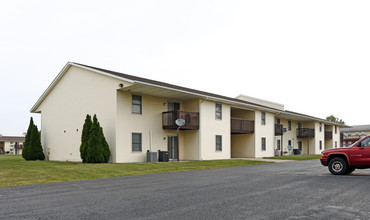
(15, 171)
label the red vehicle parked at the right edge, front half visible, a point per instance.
(345, 160)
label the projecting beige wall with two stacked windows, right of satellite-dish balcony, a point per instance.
(210, 127)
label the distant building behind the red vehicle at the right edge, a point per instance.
(353, 134)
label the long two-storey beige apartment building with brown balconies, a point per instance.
(139, 114)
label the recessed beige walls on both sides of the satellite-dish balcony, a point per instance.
(151, 121)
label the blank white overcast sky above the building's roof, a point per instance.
(312, 56)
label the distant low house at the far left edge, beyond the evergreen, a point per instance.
(11, 144)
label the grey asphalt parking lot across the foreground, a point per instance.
(291, 190)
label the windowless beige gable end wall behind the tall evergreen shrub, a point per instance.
(79, 92)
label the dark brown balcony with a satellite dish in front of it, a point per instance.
(191, 120)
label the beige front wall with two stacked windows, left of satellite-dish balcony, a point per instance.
(149, 120)
